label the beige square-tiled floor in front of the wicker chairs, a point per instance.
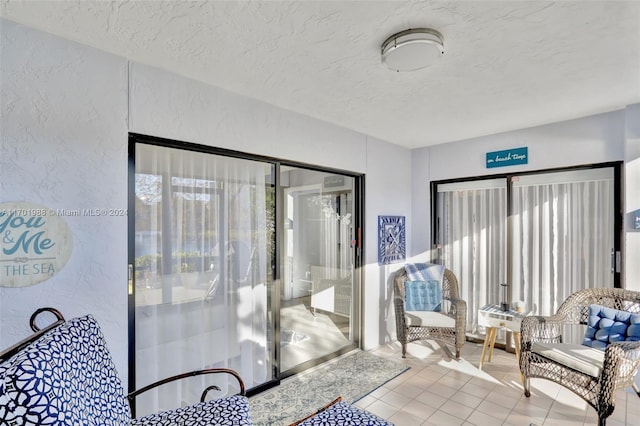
(427, 360)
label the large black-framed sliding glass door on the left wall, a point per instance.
(236, 261)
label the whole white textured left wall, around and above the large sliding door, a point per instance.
(66, 111)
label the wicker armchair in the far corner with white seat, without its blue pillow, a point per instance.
(447, 327)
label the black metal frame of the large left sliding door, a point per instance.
(275, 291)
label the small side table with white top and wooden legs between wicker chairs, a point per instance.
(493, 318)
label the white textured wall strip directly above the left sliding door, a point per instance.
(170, 106)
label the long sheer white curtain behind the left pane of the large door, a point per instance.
(202, 261)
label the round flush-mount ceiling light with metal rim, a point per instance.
(412, 49)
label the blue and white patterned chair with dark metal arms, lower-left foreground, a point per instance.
(67, 377)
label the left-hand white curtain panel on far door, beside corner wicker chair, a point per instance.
(473, 240)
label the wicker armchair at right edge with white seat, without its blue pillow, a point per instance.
(592, 374)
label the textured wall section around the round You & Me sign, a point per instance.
(63, 145)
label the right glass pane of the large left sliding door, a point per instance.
(319, 279)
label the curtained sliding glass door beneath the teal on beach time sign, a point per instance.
(545, 234)
